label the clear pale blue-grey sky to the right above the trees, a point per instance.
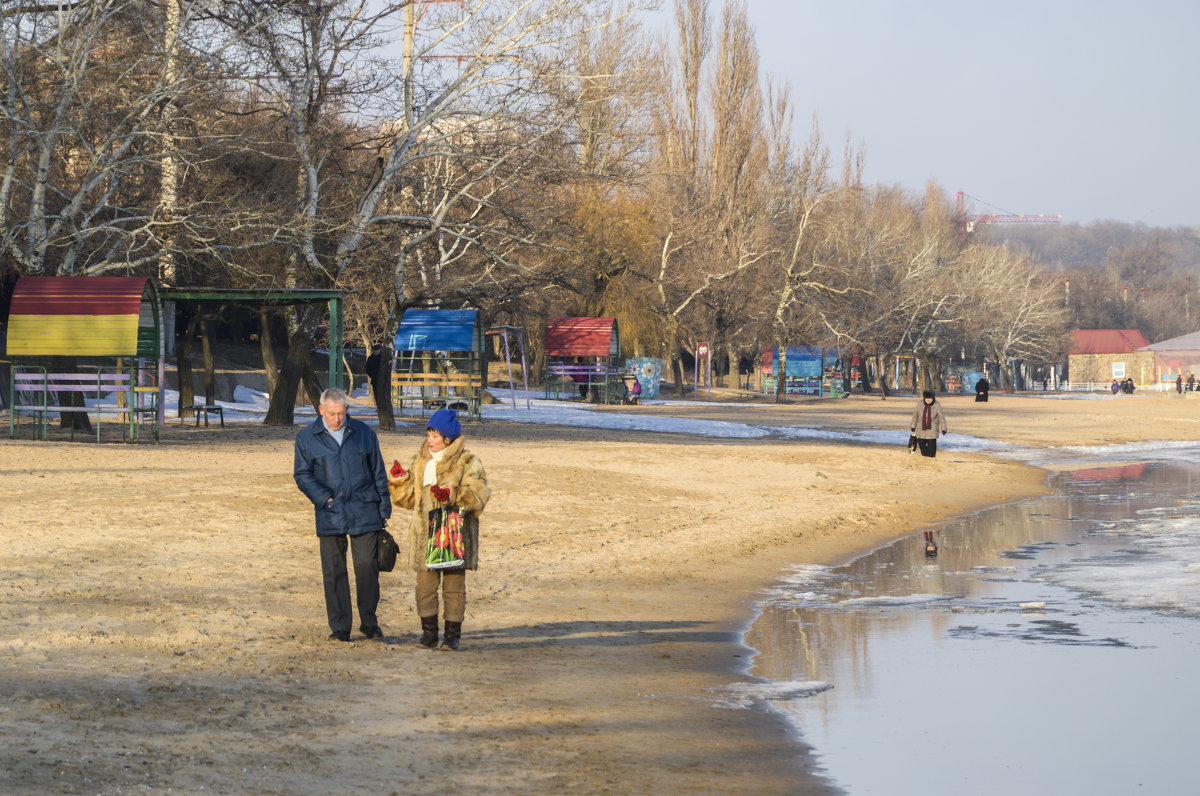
(1088, 110)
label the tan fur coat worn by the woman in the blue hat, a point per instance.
(459, 471)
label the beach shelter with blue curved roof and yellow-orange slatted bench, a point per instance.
(440, 362)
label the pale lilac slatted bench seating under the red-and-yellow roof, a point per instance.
(41, 394)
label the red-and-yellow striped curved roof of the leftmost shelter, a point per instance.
(85, 316)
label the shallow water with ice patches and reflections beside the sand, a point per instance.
(944, 684)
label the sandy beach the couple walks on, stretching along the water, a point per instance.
(165, 632)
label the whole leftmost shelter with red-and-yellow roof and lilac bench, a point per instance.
(93, 318)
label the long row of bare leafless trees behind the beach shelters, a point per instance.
(527, 158)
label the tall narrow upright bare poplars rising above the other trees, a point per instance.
(711, 165)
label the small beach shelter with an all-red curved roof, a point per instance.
(583, 357)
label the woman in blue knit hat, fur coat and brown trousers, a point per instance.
(442, 472)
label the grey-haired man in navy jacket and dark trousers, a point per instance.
(340, 469)
